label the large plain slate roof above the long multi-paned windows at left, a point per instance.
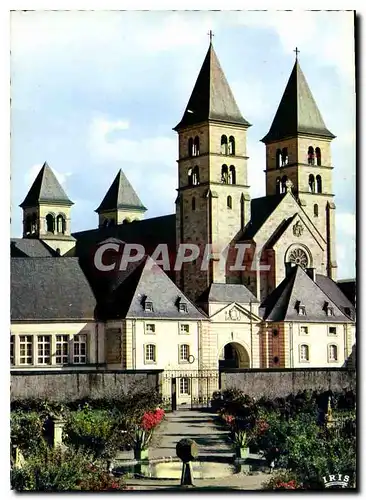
(45, 289)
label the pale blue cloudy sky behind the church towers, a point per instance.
(93, 92)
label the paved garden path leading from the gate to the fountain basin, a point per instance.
(197, 425)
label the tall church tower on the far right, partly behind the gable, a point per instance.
(298, 157)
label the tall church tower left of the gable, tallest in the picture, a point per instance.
(213, 200)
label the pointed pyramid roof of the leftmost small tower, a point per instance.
(46, 189)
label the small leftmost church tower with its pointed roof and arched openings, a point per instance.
(46, 212)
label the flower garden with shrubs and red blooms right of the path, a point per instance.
(302, 437)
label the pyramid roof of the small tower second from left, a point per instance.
(121, 195)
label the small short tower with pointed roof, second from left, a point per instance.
(121, 203)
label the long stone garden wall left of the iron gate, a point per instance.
(71, 385)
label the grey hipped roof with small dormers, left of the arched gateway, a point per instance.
(153, 284)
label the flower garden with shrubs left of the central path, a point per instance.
(93, 432)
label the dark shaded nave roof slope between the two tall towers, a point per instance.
(260, 210)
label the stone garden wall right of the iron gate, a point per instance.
(280, 383)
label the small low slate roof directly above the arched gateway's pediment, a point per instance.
(225, 292)
